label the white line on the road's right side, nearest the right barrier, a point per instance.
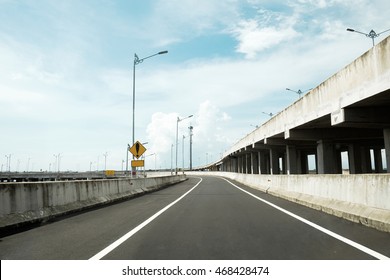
(324, 230)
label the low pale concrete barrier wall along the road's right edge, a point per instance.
(359, 198)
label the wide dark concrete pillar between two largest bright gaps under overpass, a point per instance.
(327, 160)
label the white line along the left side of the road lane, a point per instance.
(118, 242)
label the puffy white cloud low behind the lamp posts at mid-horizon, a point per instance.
(209, 135)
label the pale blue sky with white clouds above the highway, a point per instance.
(66, 74)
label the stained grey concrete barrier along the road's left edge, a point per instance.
(28, 202)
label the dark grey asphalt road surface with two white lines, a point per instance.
(199, 219)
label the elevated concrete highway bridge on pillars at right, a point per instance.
(349, 112)
